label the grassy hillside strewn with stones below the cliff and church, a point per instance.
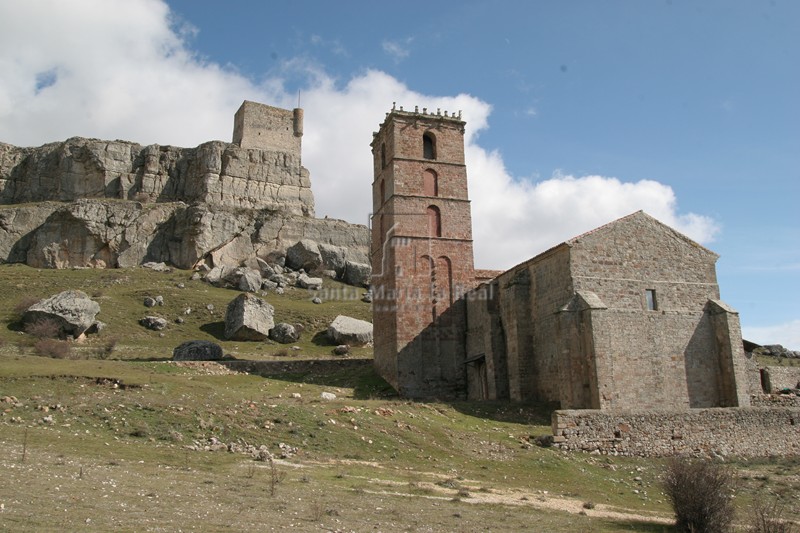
(137, 443)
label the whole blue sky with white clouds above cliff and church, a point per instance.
(577, 112)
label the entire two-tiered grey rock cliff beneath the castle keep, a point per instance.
(88, 202)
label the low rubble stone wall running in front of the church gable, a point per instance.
(738, 432)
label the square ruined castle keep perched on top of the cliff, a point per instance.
(268, 128)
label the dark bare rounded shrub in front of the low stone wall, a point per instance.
(699, 492)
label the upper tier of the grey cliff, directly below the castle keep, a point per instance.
(215, 172)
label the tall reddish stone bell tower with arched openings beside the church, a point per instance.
(422, 262)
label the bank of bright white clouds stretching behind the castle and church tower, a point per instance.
(117, 69)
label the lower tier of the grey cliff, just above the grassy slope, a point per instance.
(109, 233)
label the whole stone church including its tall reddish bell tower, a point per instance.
(627, 316)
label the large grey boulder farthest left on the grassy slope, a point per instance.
(73, 313)
